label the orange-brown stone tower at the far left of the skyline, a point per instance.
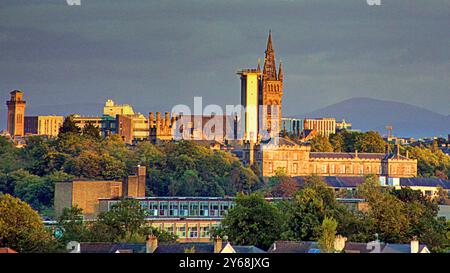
(16, 113)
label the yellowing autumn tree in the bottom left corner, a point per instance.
(21, 227)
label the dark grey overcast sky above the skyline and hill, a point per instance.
(161, 53)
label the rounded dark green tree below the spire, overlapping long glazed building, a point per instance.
(253, 221)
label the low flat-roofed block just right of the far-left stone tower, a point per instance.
(43, 125)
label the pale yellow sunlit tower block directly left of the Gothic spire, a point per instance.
(250, 85)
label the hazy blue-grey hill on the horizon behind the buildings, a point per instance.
(372, 114)
